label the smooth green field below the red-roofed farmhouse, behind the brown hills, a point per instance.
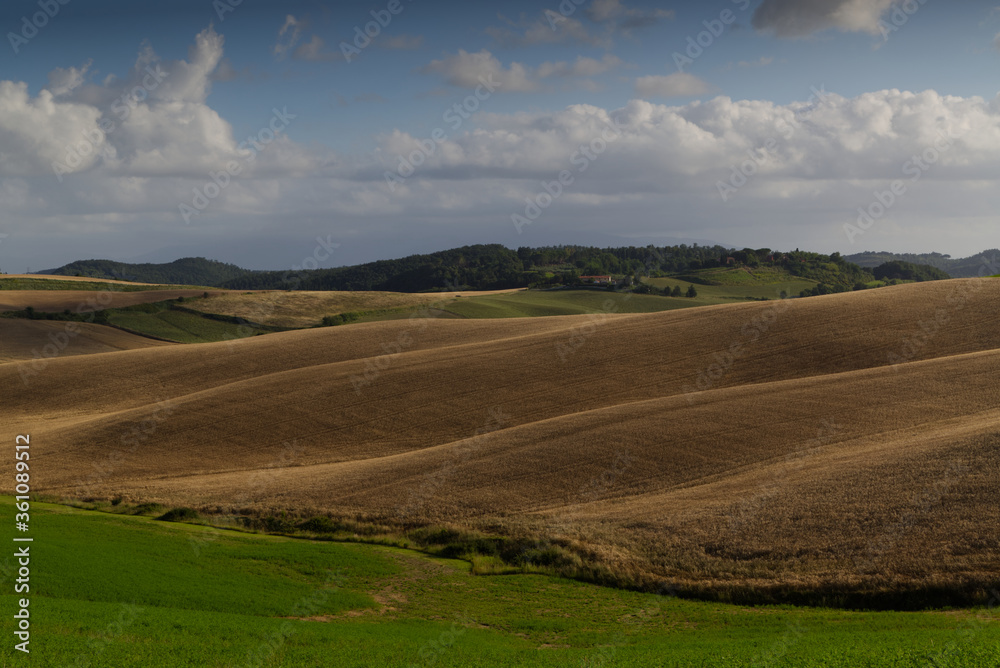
(533, 303)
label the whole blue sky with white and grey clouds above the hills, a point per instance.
(265, 133)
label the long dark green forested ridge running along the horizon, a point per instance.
(494, 267)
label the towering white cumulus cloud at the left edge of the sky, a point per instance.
(152, 122)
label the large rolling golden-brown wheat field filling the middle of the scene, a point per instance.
(846, 443)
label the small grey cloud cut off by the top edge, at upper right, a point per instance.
(800, 18)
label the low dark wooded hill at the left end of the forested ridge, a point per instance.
(186, 271)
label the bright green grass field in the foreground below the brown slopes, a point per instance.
(114, 590)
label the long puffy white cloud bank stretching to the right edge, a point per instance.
(655, 148)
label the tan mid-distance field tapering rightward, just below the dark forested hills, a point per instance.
(306, 309)
